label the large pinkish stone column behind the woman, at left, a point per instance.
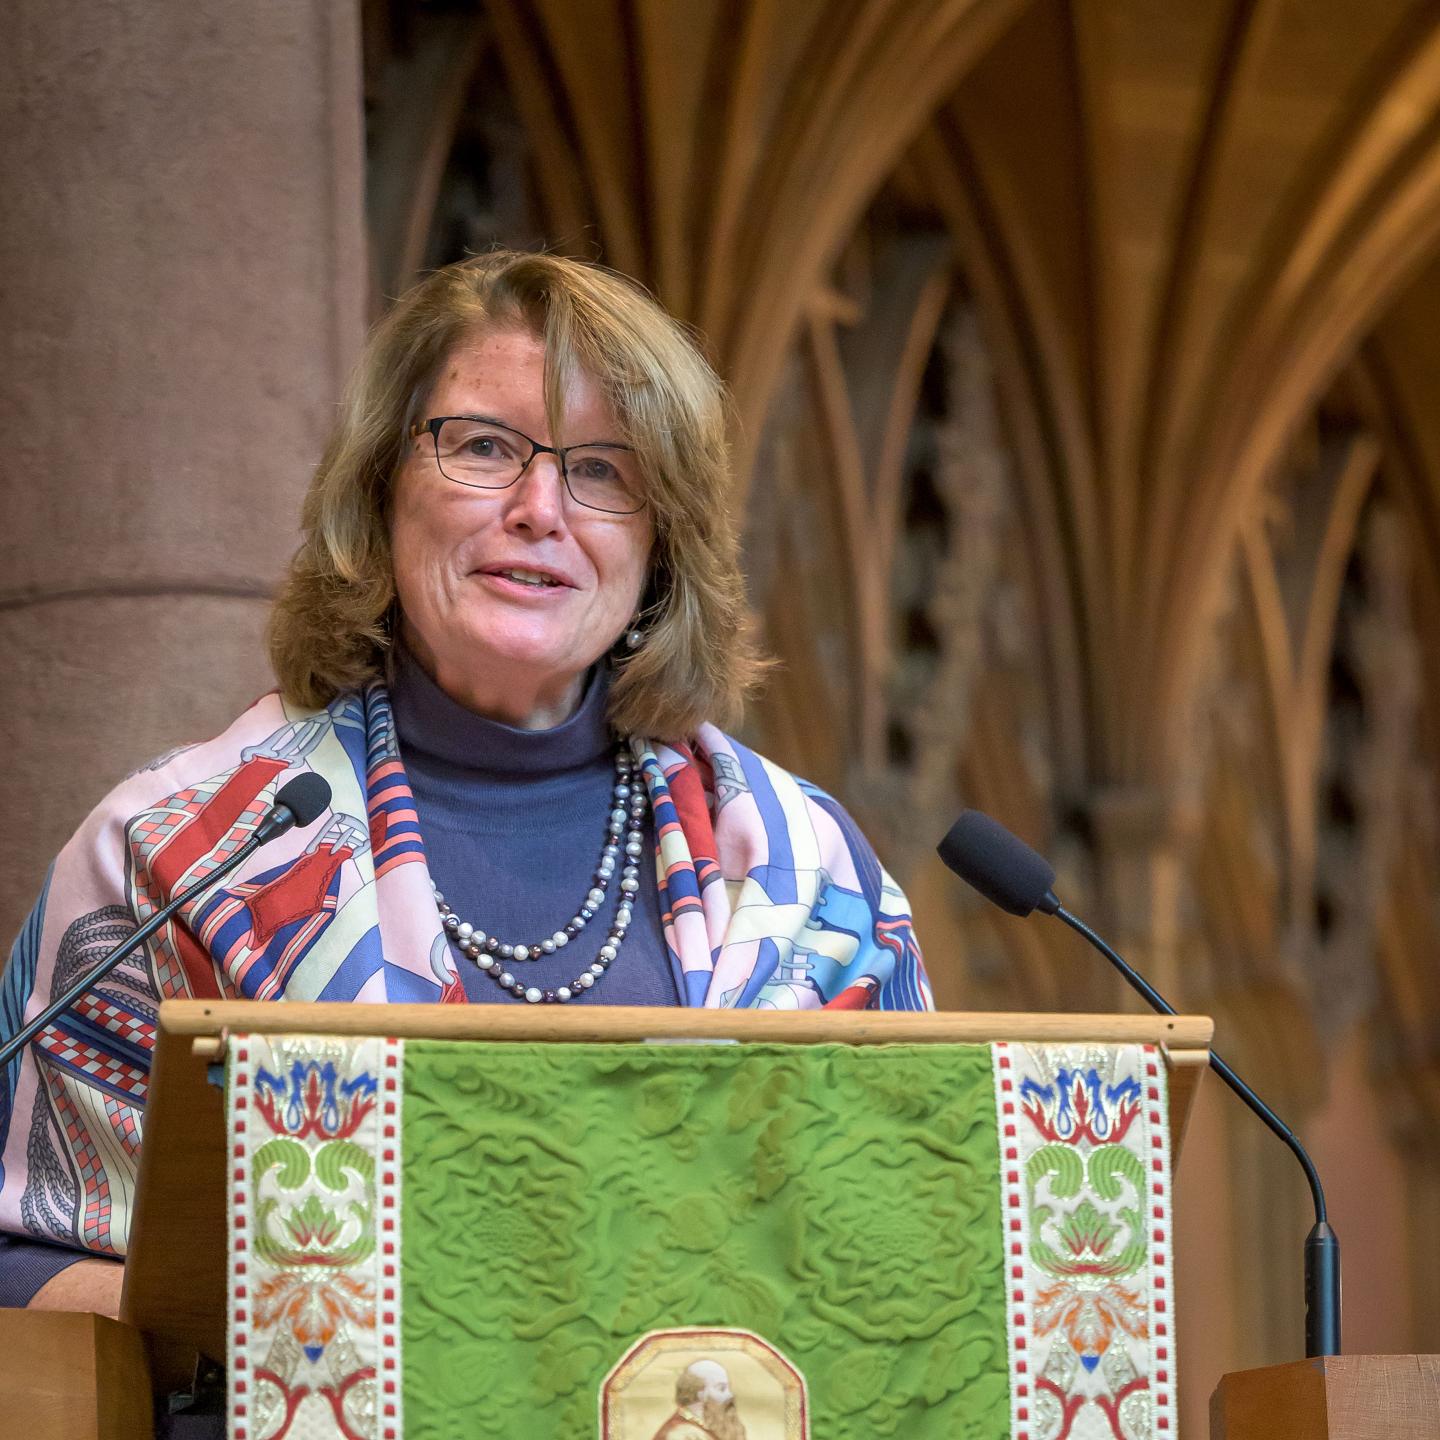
(182, 290)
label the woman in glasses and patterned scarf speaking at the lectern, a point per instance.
(506, 642)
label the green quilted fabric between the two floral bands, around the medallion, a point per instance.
(840, 1202)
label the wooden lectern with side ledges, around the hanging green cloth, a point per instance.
(175, 1292)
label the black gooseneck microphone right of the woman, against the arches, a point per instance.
(1010, 875)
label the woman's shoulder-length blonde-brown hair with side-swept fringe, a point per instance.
(333, 618)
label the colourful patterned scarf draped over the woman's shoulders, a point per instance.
(770, 898)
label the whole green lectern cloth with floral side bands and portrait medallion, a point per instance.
(669, 1242)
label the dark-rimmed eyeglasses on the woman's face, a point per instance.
(477, 451)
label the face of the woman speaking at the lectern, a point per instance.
(505, 647)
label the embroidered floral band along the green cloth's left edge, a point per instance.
(315, 1238)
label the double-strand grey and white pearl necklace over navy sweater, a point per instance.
(495, 957)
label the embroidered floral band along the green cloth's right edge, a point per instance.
(1086, 1206)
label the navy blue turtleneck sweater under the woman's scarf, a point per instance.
(513, 824)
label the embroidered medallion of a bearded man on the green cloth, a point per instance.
(703, 1385)
